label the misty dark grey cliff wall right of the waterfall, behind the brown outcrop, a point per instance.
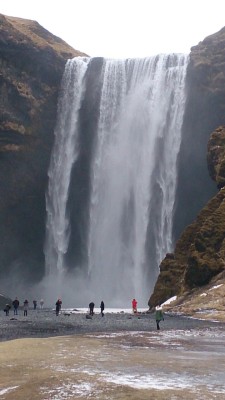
(205, 111)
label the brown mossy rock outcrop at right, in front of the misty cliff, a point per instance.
(199, 254)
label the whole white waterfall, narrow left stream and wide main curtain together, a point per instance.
(132, 175)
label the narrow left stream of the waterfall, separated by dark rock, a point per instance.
(64, 154)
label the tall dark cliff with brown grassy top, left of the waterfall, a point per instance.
(32, 62)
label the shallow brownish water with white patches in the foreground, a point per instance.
(182, 364)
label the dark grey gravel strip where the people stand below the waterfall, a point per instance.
(44, 323)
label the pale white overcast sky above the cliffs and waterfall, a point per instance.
(124, 28)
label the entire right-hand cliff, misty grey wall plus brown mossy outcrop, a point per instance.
(199, 254)
